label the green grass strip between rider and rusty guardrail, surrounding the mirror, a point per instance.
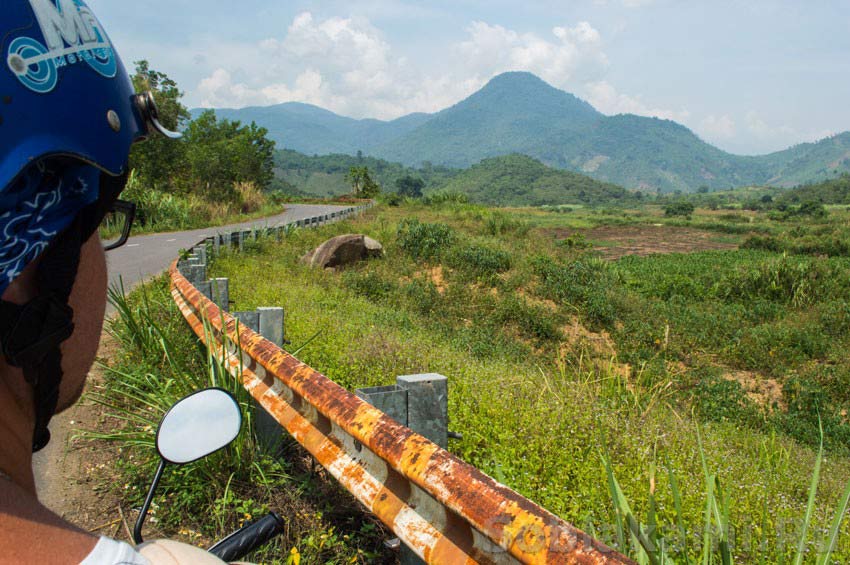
(160, 360)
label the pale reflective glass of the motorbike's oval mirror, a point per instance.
(198, 425)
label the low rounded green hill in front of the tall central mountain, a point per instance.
(518, 180)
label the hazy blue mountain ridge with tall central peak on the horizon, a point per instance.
(517, 112)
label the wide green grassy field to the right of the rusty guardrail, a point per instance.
(559, 358)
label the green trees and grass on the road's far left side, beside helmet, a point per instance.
(219, 172)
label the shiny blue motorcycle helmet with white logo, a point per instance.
(63, 89)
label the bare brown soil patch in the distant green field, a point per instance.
(613, 242)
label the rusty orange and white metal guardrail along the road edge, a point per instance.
(444, 509)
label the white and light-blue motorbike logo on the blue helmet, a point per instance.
(72, 34)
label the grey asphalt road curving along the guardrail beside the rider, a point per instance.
(142, 257)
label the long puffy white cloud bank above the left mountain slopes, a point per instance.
(345, 65)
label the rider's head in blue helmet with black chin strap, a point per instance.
(68, 116)
